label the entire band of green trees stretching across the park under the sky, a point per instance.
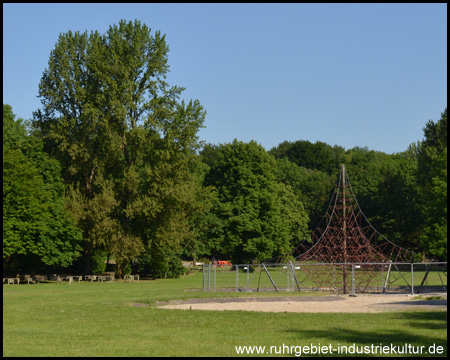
(111, 168)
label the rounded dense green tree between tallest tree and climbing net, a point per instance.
(261, 218)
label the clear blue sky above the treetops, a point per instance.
(345, 74)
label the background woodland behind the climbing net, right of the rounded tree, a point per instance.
(403, 195)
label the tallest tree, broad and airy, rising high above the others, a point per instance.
(125, 141)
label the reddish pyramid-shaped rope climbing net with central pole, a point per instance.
(347, 240)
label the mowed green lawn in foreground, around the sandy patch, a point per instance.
(103, 319)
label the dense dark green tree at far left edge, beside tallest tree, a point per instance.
(37, 230)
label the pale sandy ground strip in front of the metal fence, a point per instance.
(315, 304)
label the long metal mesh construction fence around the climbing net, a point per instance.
(410, 278)
